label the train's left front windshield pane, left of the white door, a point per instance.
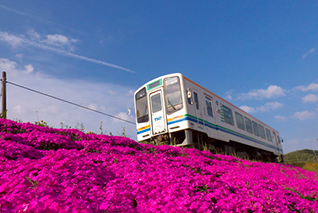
(142, 106)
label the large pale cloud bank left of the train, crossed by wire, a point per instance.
(28, 106)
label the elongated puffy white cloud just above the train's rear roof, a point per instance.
(271, 92)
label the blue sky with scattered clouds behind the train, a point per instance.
(259, 55)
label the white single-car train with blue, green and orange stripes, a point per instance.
(174, 110)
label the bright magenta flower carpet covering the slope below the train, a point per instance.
(64, 170)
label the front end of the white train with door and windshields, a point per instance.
(157, 103)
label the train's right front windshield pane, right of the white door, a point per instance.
(173, 94)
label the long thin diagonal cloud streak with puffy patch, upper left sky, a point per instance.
(54, 43)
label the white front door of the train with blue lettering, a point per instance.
(157, 112)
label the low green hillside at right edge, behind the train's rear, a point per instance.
(301, 156)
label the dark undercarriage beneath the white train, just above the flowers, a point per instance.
(201, 141)
